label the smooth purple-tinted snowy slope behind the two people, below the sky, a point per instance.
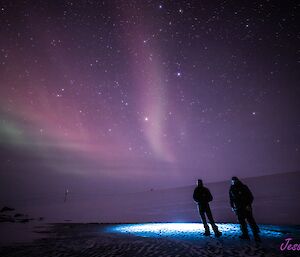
(276, 198)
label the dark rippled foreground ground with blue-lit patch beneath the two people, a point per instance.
(150, 239)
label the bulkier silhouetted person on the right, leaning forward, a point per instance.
(241, 200)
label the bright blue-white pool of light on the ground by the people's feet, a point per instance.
(180, 230)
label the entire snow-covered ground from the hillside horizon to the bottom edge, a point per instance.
(276, 202)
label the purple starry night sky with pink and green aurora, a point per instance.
(133, 95)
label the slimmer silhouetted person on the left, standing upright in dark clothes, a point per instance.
(203, 196)
